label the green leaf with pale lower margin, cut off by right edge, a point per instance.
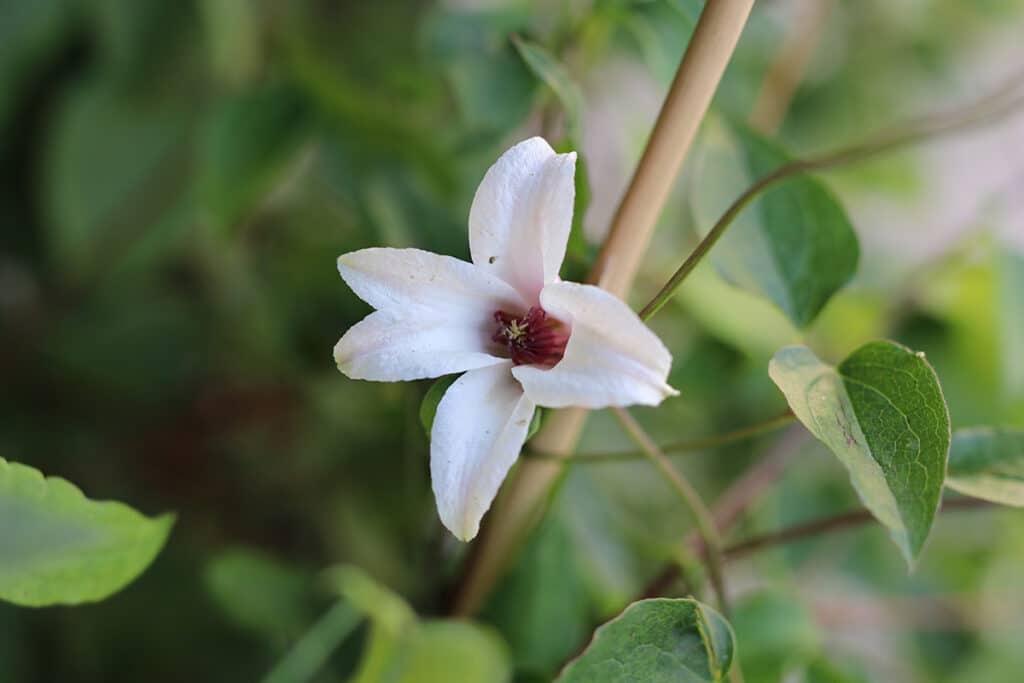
(989, 463)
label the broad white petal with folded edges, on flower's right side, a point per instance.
(613, 359)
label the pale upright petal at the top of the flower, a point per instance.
(522, 216)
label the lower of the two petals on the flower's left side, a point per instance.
(407, 345)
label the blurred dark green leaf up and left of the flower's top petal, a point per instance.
(250, 143)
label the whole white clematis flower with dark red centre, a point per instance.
(523, 337)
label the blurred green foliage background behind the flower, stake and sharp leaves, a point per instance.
(180, 178)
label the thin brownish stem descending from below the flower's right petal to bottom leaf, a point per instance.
(713, 557)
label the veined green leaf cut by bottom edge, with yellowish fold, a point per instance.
(657, 642)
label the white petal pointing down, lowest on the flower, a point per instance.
(479, 432)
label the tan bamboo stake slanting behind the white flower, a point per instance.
(700, 72)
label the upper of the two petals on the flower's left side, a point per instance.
(413, 279)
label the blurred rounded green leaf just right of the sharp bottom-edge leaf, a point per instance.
(778, 635)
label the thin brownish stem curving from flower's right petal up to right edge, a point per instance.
(999, 104)
